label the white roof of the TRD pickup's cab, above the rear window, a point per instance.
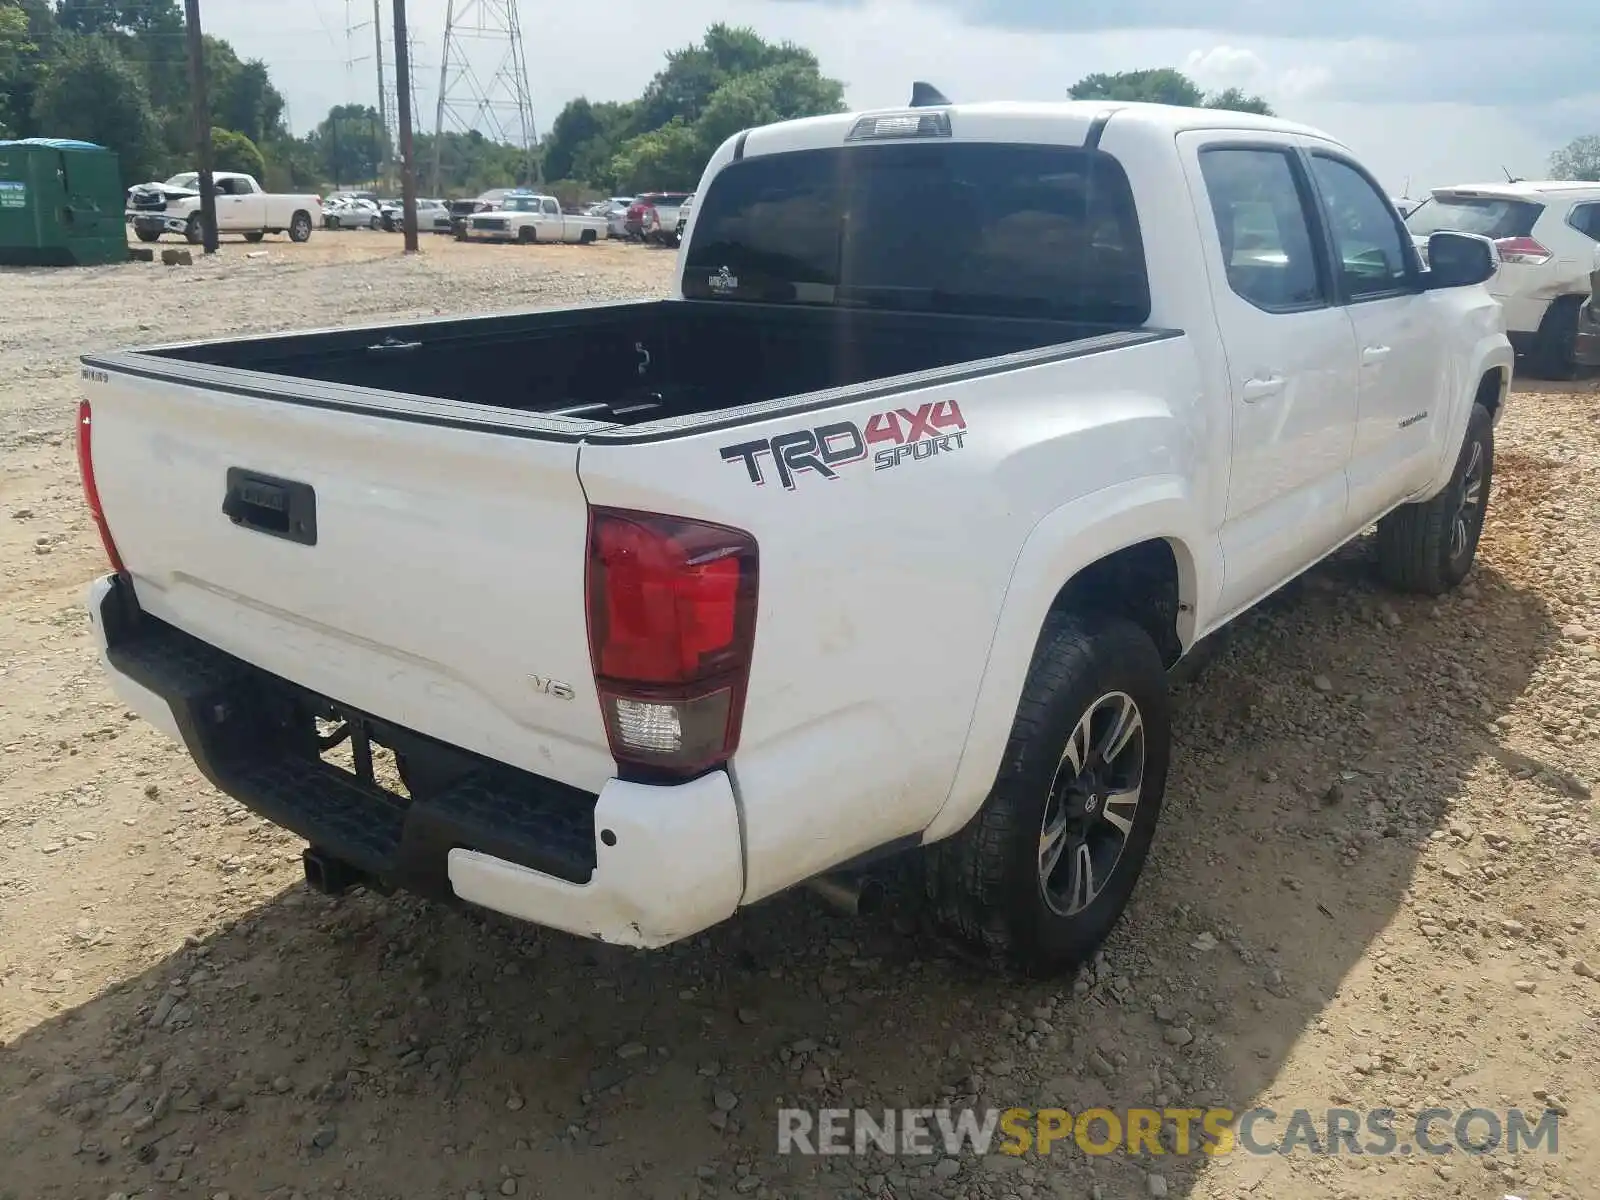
(1052, 122)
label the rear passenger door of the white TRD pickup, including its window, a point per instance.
(1290, 356)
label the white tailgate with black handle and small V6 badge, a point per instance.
(428, 575)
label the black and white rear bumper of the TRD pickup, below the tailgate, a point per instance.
(638, 865)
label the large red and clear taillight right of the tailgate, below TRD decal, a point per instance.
(671, 634)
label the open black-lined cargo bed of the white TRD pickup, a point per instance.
(618, 364)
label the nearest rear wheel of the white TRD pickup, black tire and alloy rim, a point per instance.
(990, 882)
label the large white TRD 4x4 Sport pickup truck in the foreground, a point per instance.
(882, 534)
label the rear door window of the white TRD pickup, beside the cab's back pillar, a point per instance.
(1265, 225)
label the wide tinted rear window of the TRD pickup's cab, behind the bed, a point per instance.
(980, 228)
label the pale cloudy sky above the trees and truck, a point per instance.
(1426, 92)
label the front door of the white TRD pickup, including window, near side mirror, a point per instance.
(1404, 375)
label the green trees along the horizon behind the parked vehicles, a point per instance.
(116, 73)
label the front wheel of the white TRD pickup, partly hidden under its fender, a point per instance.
(1430, 546)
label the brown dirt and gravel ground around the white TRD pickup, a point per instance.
(1377, 884)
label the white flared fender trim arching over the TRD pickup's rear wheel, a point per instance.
(1058, 548)
